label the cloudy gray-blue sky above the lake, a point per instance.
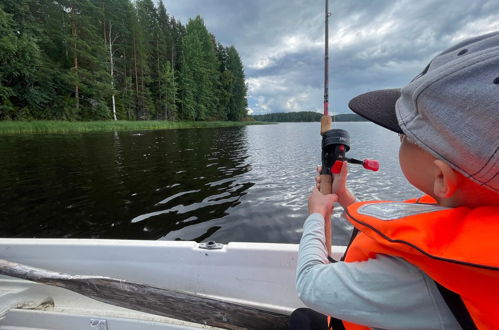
(374, 44)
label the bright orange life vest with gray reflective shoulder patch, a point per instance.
(457, 247)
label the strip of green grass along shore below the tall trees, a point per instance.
(49, 126)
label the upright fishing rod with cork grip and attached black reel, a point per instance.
(335, 142)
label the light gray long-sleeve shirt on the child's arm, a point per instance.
(385, 292)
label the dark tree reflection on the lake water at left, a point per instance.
(121, 185)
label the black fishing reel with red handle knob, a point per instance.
(335, 144)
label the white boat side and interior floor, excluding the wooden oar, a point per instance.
(257, 276)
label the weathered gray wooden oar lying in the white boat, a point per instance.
(179, 305)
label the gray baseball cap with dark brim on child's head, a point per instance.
(451, 109)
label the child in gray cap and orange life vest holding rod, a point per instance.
(430, 263)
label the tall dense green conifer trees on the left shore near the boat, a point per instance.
(113, 59)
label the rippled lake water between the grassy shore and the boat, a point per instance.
(229, 184)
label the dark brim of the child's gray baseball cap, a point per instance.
(378, 107)
